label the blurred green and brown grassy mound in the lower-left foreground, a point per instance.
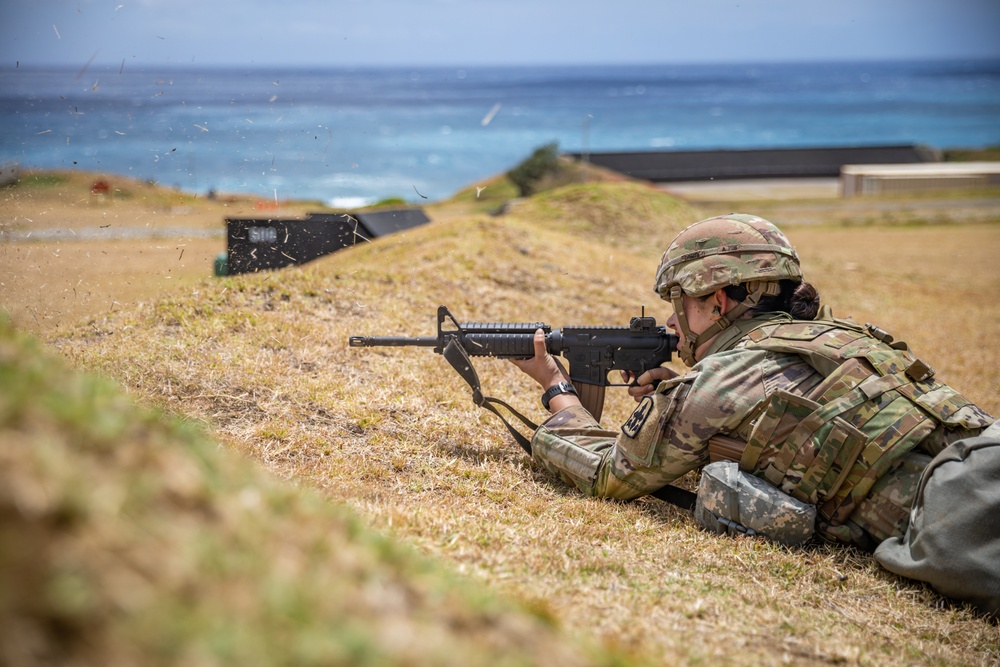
(127, 537)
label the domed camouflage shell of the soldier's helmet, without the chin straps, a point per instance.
(726, 250)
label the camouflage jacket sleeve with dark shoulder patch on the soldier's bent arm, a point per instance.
(667, 434)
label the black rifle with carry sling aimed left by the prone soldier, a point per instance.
(592, 353)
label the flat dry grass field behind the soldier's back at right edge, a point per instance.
(930, 286)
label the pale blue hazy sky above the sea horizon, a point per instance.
(334, 33)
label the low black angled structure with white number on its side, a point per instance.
(258, 244)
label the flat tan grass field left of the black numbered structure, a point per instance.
(112, 250)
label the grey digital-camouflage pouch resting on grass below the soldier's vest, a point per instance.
(734, 502)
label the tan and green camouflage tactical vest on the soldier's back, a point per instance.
(877, 403)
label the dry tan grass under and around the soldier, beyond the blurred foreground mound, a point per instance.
(263, 359)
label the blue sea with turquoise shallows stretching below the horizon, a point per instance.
(351, 136)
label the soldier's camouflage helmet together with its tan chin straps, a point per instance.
(732, 249)
